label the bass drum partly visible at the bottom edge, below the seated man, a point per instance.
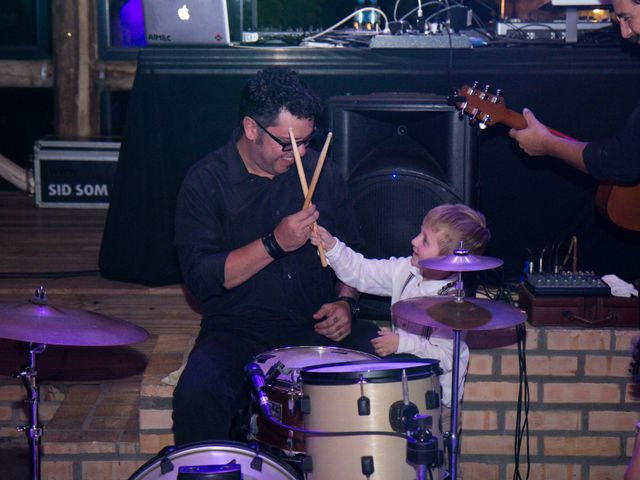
(253, 463)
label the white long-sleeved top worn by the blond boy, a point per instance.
(388, 277)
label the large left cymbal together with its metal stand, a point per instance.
(39, 324)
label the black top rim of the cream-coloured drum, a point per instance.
(309, 376)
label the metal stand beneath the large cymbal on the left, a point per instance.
(28, 375)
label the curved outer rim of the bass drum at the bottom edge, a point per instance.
(171, 450)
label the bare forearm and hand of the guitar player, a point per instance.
(537, 140)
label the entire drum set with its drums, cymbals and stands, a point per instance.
(320, 413)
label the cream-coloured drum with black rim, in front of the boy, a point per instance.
(371, 397)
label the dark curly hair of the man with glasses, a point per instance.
(274, 89)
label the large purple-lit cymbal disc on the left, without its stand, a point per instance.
(46, 324)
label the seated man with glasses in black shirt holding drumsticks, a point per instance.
(244, 250)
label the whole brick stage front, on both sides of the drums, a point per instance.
(581, 418)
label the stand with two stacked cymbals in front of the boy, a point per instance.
(455, 314)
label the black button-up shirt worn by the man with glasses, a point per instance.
(222, 207)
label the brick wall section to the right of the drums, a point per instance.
(582, 411)
